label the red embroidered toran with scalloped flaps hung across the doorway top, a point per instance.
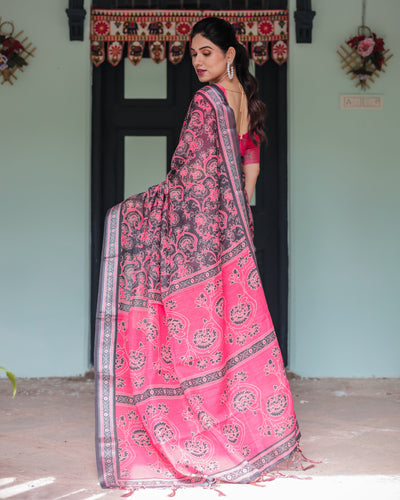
(111, 29)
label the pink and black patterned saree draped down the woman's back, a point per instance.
(190, 383)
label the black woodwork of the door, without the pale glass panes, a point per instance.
(110, 109)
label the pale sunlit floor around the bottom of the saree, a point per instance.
(351, 425)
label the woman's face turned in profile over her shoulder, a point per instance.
(208, 59)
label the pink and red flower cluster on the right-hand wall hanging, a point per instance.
(371, 51)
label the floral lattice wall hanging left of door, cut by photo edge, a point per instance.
(13, 52)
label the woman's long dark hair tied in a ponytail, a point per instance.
(222, 34)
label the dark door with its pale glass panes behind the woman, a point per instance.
(137, 114)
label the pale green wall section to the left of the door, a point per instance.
(44, 201)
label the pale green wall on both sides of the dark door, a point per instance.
(344, 178)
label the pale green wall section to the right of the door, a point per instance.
(344, 171)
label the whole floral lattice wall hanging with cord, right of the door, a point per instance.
(364, 56)
